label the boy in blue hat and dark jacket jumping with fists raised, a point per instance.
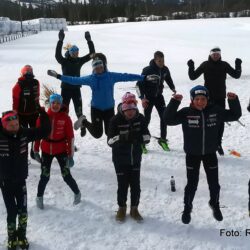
(200, 125)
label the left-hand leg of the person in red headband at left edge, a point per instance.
(8, 192)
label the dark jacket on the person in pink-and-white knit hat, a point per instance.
(125, 137)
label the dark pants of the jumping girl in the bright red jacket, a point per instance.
(45, 174)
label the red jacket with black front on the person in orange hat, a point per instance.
(25, 94)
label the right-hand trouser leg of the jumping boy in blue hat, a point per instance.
(210, 163)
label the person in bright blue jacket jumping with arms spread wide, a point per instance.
(101, 82)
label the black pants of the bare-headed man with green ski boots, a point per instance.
(159, 104)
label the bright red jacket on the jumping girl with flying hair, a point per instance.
(61, 138)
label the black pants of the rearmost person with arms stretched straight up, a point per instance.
(75, 95)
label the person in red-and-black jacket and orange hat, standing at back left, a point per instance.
(25, 95)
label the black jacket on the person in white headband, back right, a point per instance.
(215, 74)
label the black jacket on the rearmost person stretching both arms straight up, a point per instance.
(72, 66)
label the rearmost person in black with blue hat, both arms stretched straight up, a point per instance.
(71, 66)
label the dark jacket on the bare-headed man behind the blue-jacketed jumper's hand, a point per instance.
(150, 89)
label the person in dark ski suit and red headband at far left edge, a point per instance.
(14, 141)
